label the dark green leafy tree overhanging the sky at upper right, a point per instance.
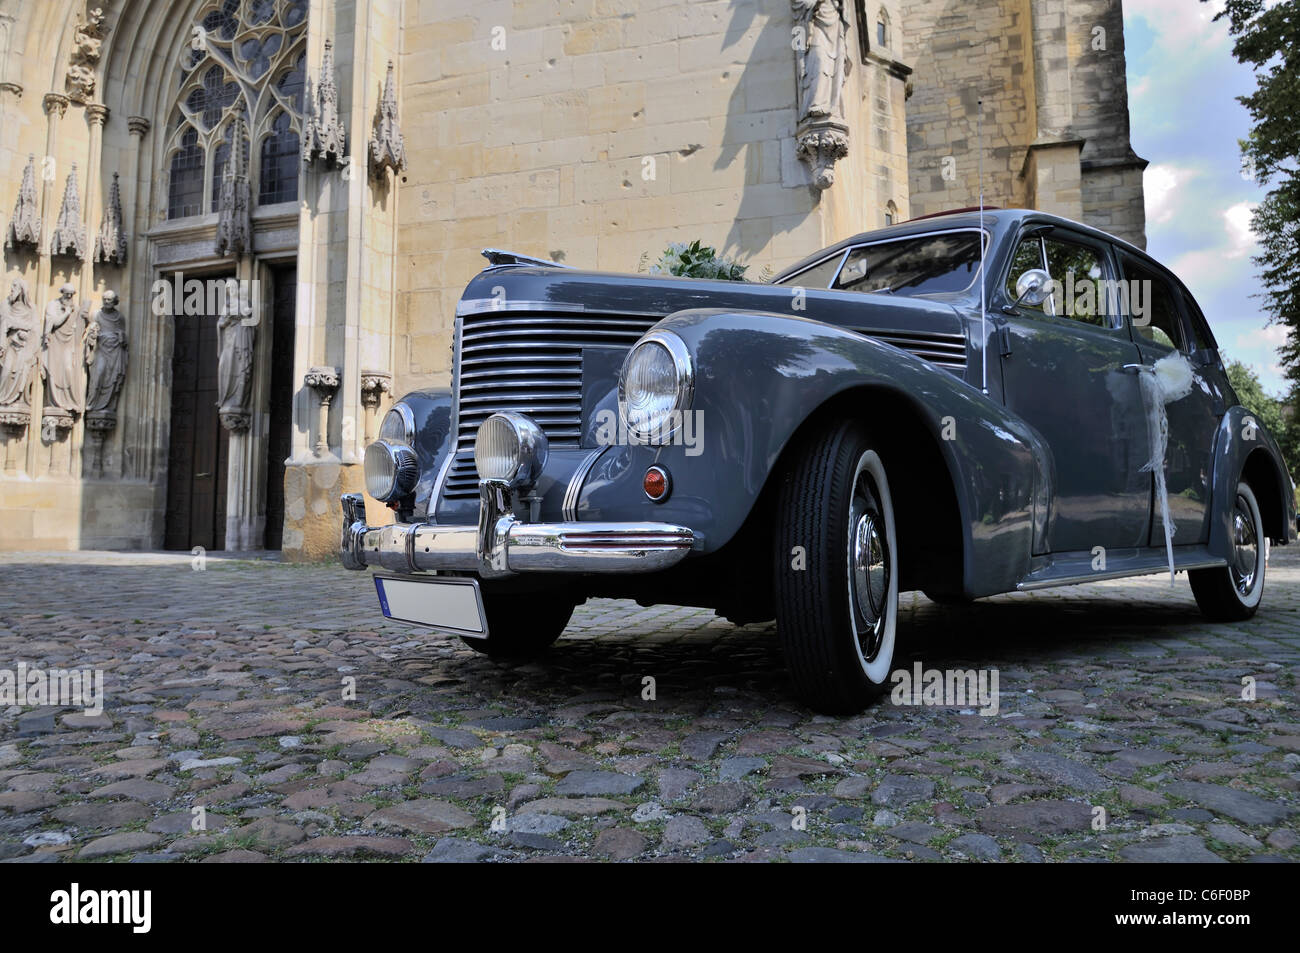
(1267, 38)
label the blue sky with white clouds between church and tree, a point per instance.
(1185, 119)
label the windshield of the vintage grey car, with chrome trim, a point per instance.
(917, 266)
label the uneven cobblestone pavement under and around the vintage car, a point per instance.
(224, 691)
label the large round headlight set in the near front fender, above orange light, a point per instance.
(656, 387)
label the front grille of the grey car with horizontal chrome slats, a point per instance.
(531, 363)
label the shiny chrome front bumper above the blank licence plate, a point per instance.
(501, 545)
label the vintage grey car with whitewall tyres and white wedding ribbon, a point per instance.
(964, 405)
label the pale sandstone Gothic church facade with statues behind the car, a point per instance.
(237, 229)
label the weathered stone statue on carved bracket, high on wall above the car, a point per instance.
(821, 67)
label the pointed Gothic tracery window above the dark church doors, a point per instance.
(245, 58)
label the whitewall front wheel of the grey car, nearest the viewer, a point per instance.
(837, 574)
